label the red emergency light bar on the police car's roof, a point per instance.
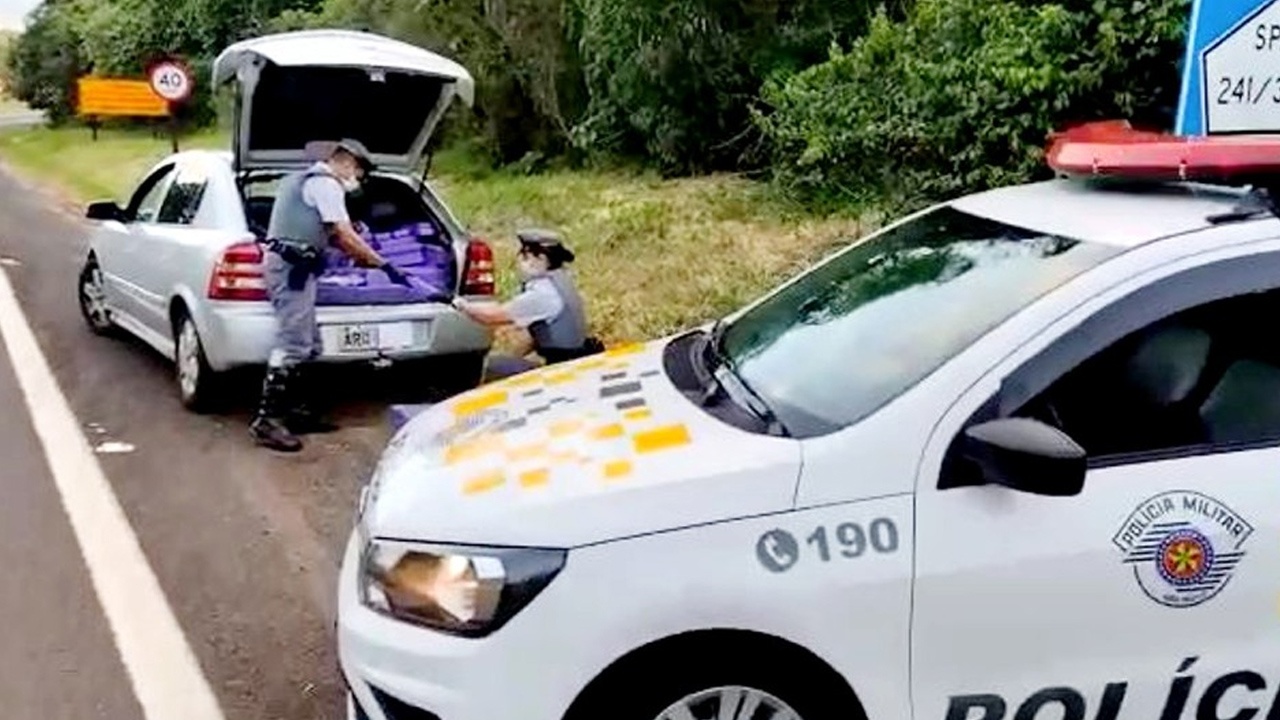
(1114, 149)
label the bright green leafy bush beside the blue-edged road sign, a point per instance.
(963, 94)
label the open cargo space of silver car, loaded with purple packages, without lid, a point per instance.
(397, 224)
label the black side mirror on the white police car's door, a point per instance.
(1027, 455)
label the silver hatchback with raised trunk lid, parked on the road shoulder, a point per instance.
(181, 265)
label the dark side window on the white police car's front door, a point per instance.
(1178, 368)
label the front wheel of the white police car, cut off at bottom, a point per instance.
(665, 689)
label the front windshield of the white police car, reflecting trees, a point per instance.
(852, 335)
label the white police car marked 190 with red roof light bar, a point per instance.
(1013, 458)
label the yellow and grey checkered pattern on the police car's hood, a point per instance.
(610, 446)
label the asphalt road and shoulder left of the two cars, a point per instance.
(245, 545)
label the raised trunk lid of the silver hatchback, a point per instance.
(301, 90)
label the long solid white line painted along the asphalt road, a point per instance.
(163, 671)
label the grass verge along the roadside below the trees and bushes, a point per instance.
(653, 256)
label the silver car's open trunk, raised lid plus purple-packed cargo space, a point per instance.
(301, 92)
